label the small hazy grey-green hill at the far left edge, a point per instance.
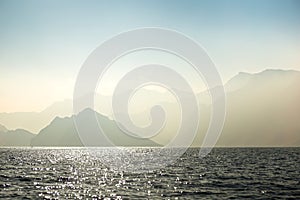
(17, 137)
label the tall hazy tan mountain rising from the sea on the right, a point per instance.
(263, 109)
